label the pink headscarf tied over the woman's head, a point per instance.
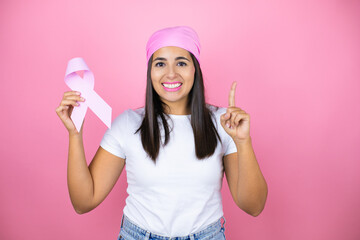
(180, 36)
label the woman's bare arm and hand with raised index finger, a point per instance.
(246, 182)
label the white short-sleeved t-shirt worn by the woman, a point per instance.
(179, 195)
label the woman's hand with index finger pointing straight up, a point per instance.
(236, 122)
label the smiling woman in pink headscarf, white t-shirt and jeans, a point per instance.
(174, 149)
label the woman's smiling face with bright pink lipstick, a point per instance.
(172, 75)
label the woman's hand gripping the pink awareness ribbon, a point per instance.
(64, 110)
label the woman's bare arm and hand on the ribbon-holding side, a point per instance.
(88, 185)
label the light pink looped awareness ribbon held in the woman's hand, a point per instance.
(85, 86)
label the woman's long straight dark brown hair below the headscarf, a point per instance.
(205, 133)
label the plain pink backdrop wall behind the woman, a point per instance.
(297, 68)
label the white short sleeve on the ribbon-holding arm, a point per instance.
(113, 139)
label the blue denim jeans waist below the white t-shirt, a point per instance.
(130, 231)
